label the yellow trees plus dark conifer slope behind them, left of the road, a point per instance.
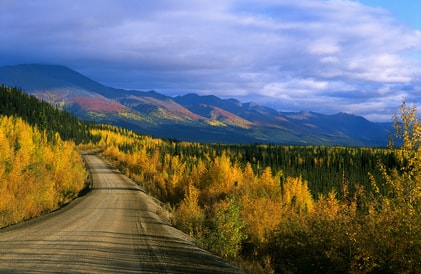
(39, 171)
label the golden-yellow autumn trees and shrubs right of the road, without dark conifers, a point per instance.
(274, 220)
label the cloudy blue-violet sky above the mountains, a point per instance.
(359, 57)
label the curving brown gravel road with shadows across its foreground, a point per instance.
(113, 229)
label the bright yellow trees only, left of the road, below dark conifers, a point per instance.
(35, 175)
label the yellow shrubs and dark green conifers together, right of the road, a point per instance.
(278, 209)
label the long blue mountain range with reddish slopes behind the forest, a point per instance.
(190, 117)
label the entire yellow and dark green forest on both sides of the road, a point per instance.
(266, 208)
